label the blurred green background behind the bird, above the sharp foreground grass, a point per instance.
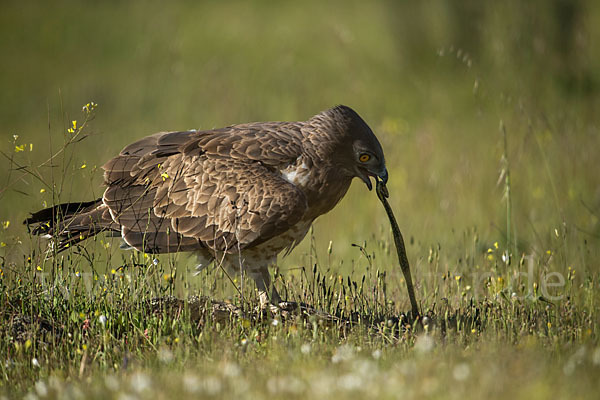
(433, 79)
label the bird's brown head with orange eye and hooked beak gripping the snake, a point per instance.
(360, 152)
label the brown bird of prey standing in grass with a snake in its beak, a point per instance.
(238, 195)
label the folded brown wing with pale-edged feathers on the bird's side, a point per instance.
(180, 191)
